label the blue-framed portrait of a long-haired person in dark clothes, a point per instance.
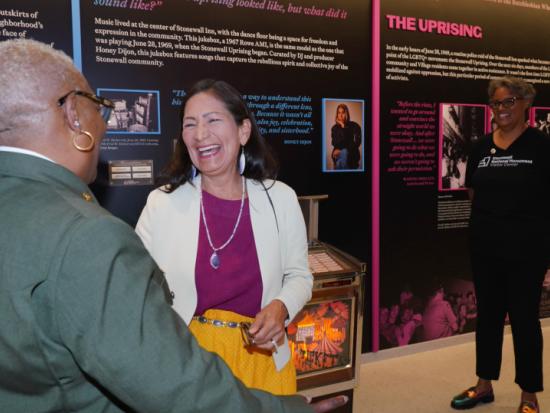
(343, 135)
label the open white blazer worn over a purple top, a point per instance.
(169, 229)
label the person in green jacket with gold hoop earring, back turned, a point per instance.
(86, 324)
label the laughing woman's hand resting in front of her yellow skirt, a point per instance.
(269, 325)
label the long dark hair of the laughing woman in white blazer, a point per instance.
(260, 162)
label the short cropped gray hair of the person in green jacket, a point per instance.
(31, 75)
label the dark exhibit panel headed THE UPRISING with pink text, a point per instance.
(436, 61)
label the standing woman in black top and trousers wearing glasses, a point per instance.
(508, 177)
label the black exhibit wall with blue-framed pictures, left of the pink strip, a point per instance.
(295, 62)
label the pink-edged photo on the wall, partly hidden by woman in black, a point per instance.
(460, 126)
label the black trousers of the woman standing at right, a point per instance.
(509, 286)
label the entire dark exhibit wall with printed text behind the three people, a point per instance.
(299, 64)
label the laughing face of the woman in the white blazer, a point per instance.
(212, 137)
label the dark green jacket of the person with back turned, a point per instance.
(85, 322)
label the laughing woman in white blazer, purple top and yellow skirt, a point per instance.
(230, 239)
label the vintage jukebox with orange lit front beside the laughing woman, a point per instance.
(325, 337)
